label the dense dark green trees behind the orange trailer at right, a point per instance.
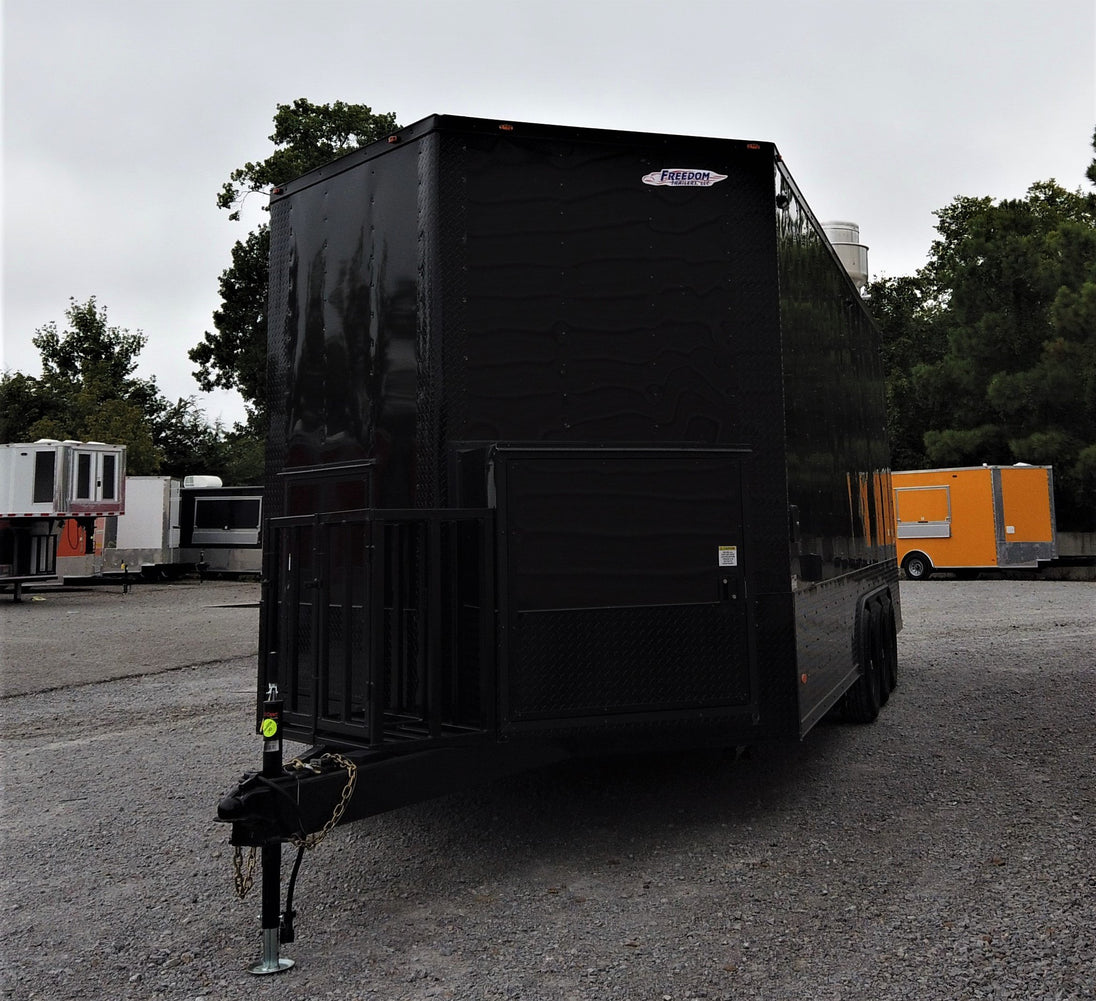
(992, 346)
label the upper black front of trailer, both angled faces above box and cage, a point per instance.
(477, 287)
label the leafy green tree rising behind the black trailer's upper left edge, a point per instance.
(306, 135)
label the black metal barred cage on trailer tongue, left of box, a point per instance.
(380, 624)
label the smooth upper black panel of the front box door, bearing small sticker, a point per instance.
(590, 528)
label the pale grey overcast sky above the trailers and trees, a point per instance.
(122, 119)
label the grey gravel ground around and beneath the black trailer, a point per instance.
(945, 852)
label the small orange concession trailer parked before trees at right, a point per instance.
(975, 518)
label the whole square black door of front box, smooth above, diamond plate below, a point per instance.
(623, 586)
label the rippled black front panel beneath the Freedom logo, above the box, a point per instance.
(601, 309)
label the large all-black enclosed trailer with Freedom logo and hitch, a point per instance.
(577, 446)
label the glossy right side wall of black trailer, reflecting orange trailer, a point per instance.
(840, 498)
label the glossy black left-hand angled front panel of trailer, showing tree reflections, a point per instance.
(348, 352)
